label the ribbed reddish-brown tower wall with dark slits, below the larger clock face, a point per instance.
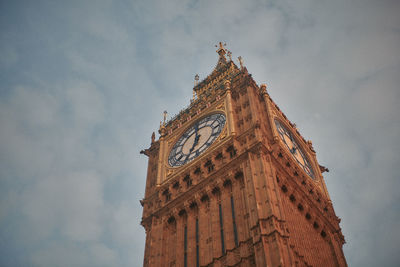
(165, 240)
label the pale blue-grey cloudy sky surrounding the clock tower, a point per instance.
(83, 84)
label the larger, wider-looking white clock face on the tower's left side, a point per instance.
(196, 139)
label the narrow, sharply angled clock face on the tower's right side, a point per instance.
(294, 148)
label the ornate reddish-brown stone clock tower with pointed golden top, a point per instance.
(231, 182)
